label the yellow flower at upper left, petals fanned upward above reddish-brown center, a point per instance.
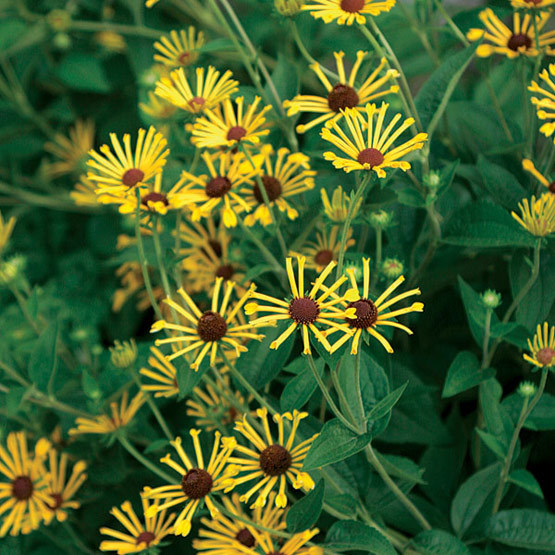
(119, 174)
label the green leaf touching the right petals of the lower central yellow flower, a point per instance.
(334, 443)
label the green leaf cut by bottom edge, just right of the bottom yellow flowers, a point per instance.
(348, 535)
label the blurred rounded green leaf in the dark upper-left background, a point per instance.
(83, 72)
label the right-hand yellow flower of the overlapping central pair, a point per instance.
(370, 314)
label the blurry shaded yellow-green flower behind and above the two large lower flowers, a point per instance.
(212, 409)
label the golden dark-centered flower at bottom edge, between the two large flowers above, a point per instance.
(226, 535)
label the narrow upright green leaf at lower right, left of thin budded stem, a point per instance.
(471, 497)
